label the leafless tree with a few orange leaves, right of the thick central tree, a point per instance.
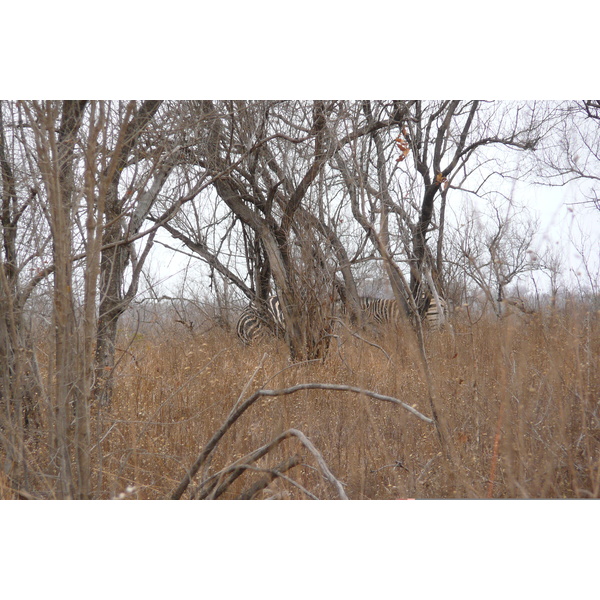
(404, 176)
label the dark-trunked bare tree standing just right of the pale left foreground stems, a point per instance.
(139, 165)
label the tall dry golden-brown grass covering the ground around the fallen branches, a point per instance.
(519, 398)
